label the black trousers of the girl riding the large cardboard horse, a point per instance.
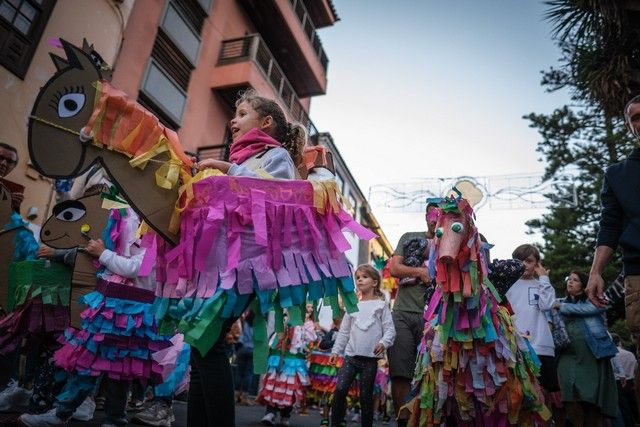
(211, 389)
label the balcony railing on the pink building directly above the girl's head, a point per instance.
(253, 48)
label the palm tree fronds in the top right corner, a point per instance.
(600, 40)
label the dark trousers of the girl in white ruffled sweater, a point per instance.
(367, 368)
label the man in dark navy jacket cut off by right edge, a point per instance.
(620, 225)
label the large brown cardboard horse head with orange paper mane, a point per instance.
(79, 119)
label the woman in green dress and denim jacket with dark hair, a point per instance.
(587, 382)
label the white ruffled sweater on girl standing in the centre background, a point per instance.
(361, 331)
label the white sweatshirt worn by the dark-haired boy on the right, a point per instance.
(530, 298)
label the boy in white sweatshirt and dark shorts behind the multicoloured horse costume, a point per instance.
(530, 297)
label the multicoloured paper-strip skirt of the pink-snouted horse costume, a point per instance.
(473, 367)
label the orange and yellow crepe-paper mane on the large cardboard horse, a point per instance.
(119, 123)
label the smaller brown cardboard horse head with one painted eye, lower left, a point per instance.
(71, 226)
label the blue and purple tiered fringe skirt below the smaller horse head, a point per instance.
(119, 338)
